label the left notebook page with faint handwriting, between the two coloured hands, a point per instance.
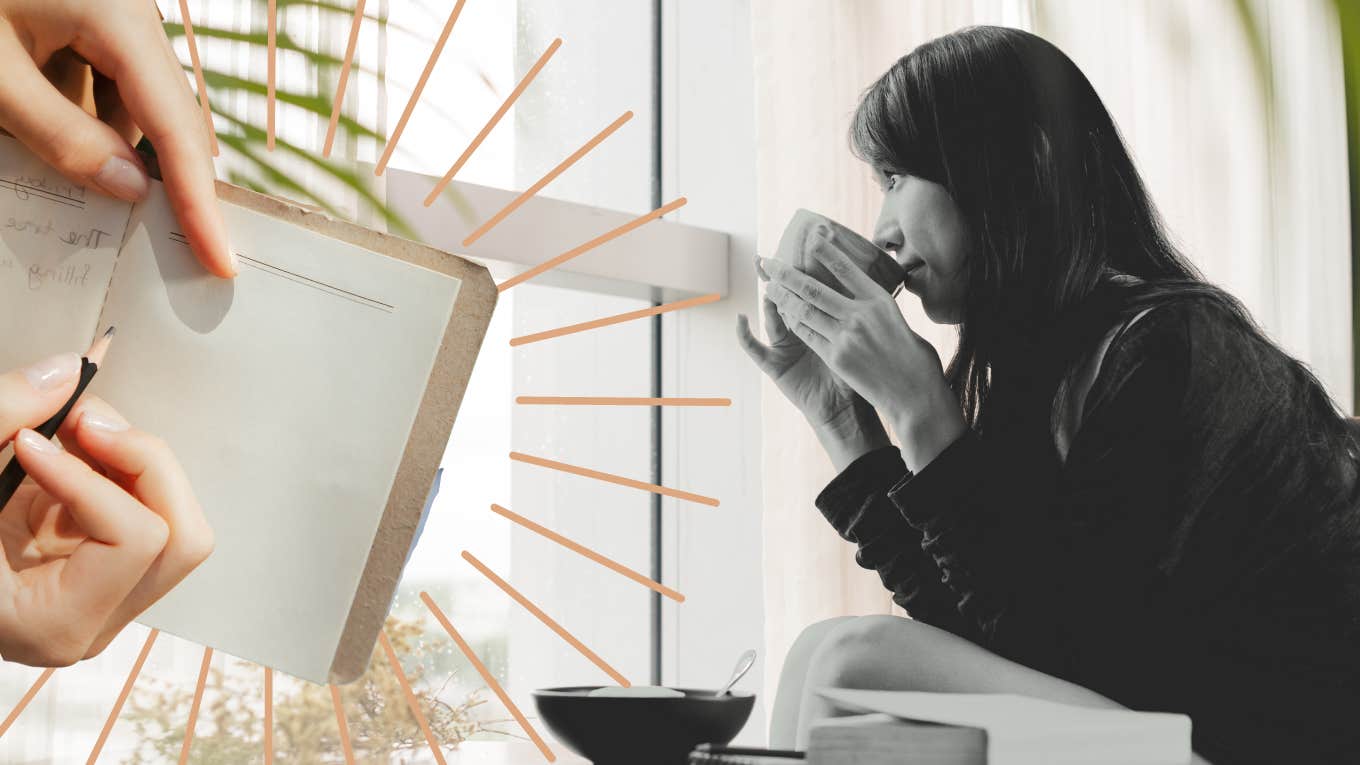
(58, 247)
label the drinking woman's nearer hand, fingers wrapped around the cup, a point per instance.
(866, 341)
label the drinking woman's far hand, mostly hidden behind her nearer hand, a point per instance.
(845, 424)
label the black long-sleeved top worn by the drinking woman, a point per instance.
(1197, 551)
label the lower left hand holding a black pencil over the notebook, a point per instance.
(97, 534)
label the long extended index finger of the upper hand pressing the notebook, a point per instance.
(131, 48)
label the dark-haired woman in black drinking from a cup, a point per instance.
(1120, 492)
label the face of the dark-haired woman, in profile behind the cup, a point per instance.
(924, 229)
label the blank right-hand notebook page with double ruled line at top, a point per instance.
(289, 395)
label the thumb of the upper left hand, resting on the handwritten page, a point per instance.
(75, 144)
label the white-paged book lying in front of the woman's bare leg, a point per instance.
(947, 729)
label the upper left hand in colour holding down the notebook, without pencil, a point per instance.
(84, 81)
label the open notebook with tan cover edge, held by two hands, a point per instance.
(309, 401)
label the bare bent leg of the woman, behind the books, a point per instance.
(894, 654)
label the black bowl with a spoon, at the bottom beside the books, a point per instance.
(614, 730)
